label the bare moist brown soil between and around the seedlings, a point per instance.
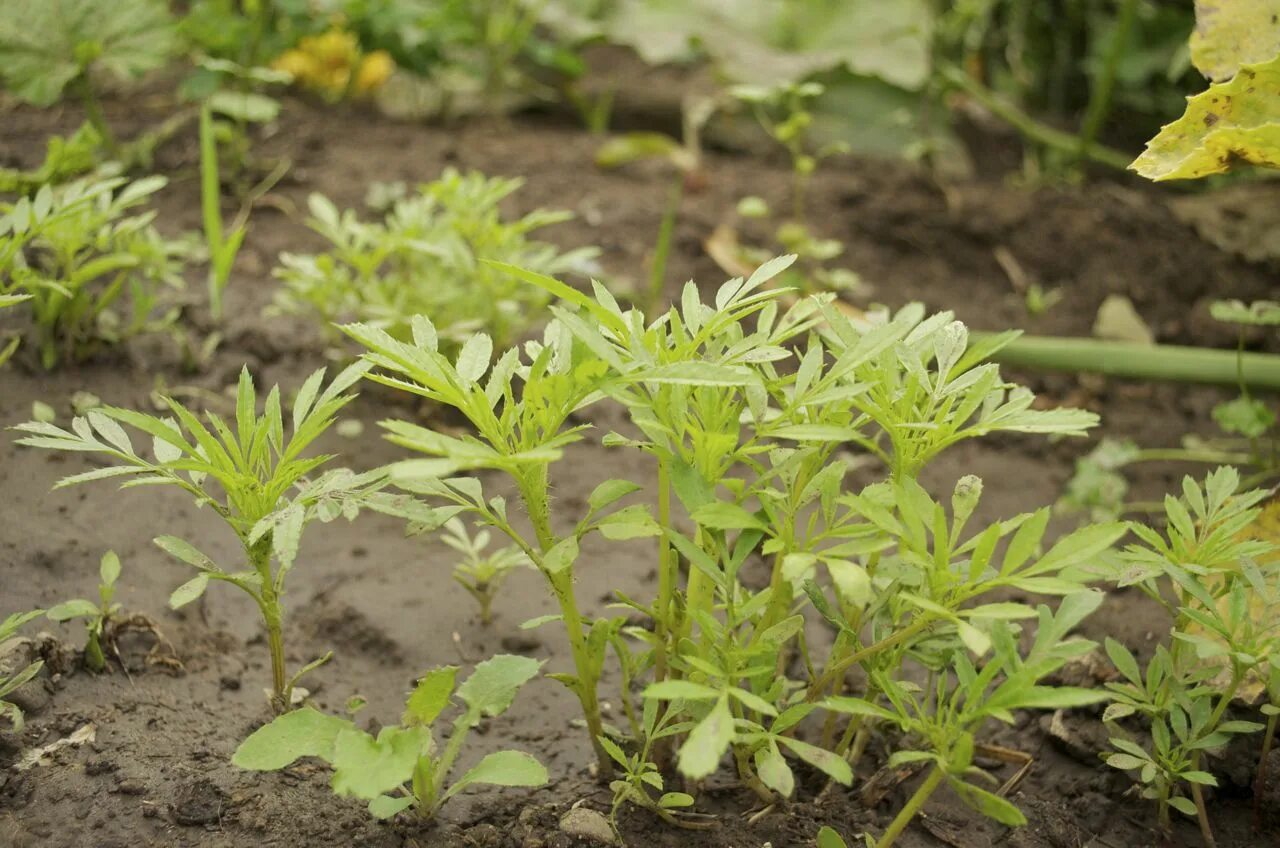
(156, 769)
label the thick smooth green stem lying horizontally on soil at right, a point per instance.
(1172, 363)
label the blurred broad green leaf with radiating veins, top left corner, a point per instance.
(45, 44)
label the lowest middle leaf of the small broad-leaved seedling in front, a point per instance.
(368, 768)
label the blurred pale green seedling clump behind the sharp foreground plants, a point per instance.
(424, 259)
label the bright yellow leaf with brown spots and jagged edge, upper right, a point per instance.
(1232, 124)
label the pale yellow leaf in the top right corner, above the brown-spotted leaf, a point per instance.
(1231, 34)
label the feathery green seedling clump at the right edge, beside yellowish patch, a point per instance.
(1226, 633)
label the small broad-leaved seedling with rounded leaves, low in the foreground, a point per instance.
(404, 767)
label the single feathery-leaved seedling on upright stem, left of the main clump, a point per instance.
(254, 472)
